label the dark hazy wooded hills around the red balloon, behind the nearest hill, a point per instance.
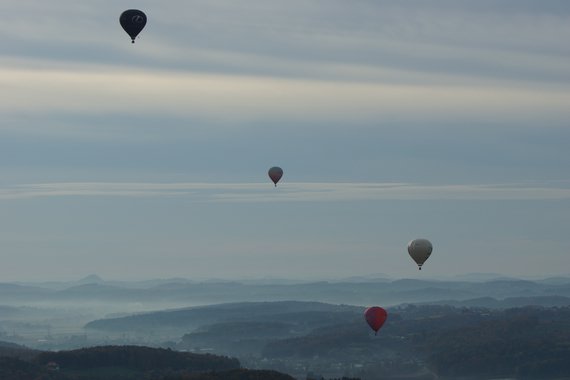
(416, 341)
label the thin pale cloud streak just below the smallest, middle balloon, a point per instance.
(290, 192)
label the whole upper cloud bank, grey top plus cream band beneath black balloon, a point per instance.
(296, 62)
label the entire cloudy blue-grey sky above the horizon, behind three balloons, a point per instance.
(392, 120)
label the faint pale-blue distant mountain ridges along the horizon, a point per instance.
(360, 291)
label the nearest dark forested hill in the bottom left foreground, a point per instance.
(127, 363)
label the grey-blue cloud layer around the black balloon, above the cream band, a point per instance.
(490, 40)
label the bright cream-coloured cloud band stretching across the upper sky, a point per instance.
(241, 99)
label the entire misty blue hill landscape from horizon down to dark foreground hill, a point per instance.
(317, 325)
